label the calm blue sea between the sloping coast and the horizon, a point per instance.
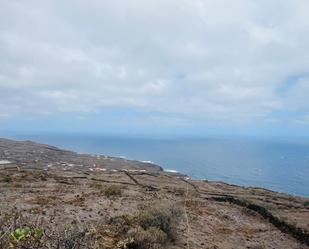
(274, 163)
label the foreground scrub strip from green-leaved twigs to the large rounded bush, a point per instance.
(152, 228)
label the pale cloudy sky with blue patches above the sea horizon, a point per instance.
(161, 66)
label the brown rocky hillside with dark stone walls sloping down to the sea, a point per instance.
(51, 198)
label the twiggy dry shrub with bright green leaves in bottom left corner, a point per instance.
(36, 235)
